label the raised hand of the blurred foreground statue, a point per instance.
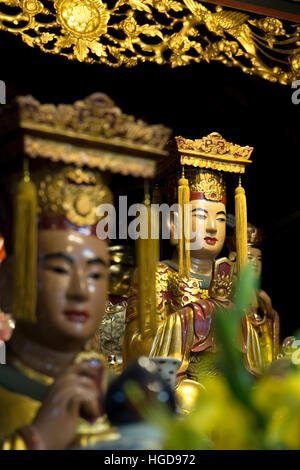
(73, 391)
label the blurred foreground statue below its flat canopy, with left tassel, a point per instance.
(61, 278)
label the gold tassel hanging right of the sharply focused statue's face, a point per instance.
(241, 227)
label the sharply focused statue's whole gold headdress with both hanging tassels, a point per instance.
(207, 157)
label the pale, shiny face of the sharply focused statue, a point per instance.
(209, 224)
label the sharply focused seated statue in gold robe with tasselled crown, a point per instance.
(194, 283)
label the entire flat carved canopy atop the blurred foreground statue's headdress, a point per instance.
(92, 132)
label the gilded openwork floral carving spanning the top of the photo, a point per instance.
(117, 32)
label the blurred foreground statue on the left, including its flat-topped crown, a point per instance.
(52, 388)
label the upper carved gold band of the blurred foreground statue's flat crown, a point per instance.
(103, 122)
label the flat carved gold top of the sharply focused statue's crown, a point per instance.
(214, 152)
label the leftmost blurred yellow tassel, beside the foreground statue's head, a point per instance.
(25, 250)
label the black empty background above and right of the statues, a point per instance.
(195, 101)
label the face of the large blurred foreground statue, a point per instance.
(72, 284)
